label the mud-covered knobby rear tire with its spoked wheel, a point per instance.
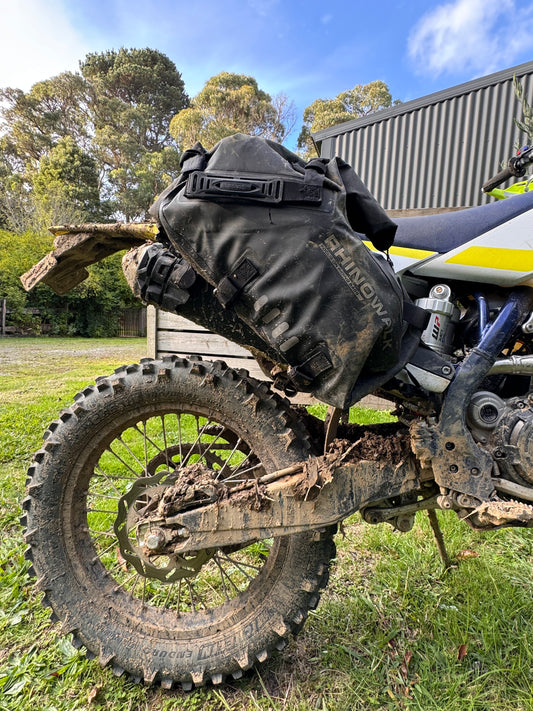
(234, 608)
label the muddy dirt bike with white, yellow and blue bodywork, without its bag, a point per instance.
(180, 515)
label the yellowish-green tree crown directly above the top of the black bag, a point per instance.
(232, 103)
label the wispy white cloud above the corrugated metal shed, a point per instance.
(475, 36)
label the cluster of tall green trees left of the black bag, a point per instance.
(114, 117)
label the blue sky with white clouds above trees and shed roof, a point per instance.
(304, 49)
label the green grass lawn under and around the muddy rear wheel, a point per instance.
(393, 630)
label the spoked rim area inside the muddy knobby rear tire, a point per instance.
(151, 450)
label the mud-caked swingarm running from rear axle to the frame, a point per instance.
(301, 498)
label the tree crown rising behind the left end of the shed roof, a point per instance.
(360, 101)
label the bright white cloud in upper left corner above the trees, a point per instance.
(37, 42)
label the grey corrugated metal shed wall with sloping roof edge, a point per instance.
(436, 151)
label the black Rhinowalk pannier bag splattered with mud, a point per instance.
(276, 238)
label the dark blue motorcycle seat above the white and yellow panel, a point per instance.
(446, 231)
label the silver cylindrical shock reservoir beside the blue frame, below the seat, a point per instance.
(444, 316)
